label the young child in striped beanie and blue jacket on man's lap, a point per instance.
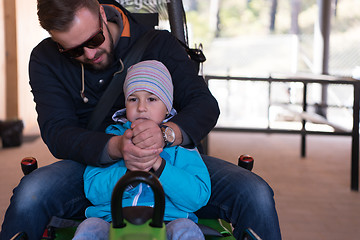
(148, 93)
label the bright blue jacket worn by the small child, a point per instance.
(185, 180)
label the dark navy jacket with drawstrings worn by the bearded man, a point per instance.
(62, 115)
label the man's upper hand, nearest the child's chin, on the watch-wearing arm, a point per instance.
(147, 134)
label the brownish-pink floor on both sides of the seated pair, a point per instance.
(312, 194)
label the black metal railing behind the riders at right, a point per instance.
(323, 80)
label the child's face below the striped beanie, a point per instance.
(145, 105)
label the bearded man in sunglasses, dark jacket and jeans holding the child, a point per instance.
(69, 72)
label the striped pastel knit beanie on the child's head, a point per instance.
(151, 76)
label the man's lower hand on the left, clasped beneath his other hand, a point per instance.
(135, 158)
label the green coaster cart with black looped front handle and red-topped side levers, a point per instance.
(138, 222)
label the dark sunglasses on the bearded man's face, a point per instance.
(93, 42)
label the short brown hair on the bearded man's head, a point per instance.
(59, 14)
